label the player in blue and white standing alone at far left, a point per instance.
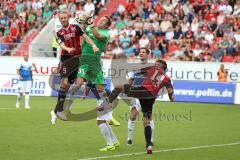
(24, 72)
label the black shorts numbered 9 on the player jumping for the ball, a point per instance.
(69, 68)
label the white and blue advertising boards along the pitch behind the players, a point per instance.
(186, 89)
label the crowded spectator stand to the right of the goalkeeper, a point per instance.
(185, 30)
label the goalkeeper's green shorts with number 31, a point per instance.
(91, 71)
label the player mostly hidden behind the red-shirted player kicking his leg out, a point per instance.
(135, 106)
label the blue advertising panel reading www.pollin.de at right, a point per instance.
(210, 92)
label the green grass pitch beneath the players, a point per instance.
(28, 134)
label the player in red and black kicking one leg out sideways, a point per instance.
(155, 79)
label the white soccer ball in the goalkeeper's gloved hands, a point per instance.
(83, 18)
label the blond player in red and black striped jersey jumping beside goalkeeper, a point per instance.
(68, 38)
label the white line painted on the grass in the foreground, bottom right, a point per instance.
(163, 150)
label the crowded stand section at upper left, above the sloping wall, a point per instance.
(21, 20)
